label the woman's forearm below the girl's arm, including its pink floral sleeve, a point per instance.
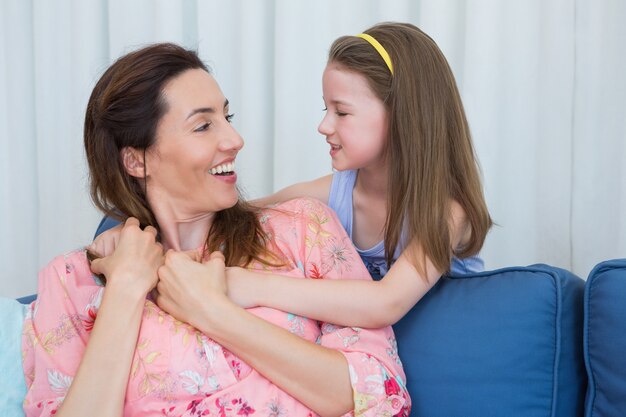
(349, 371)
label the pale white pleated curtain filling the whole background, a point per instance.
(542, 82)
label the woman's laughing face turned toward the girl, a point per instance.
(190, 168)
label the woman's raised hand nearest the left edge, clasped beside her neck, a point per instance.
(134, 263)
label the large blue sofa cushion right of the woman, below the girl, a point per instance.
(498, 343)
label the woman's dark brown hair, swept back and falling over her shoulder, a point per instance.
(123, 111)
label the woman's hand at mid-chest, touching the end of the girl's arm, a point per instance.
(187, 285)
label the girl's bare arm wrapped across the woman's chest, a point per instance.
(369, 304)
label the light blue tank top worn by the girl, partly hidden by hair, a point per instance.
(340, 200)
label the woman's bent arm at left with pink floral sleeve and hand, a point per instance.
(61, 332)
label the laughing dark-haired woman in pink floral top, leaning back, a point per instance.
(161, 149)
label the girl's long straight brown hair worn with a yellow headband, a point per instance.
(431, 159)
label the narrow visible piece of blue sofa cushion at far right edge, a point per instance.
(605, 339)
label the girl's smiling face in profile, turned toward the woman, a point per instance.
(355, 124)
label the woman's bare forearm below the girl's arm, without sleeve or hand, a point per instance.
(317, 376)
